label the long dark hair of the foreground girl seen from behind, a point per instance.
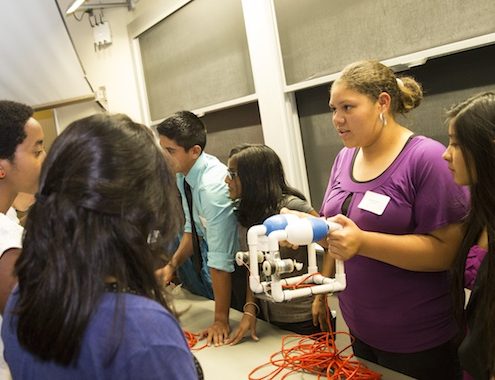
(107, 202)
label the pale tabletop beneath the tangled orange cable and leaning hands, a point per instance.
(236, 362)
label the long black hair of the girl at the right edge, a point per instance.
(473, 122)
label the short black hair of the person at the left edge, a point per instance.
(13, 118)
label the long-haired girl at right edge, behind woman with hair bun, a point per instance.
(471, 158)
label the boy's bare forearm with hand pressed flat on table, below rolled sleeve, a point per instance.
(218, 332)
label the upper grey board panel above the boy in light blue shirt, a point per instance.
(196, 57)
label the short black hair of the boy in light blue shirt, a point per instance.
(185, 128)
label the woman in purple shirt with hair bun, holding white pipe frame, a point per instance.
(400, 210)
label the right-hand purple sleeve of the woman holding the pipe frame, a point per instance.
(439, 201)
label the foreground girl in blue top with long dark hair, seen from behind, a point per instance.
(88, 304)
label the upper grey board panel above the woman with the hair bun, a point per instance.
(320, 37)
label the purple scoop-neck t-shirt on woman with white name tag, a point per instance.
(387, 307)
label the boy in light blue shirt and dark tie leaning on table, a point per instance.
(204, 258)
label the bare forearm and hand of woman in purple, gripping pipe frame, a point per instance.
(416, 252)
